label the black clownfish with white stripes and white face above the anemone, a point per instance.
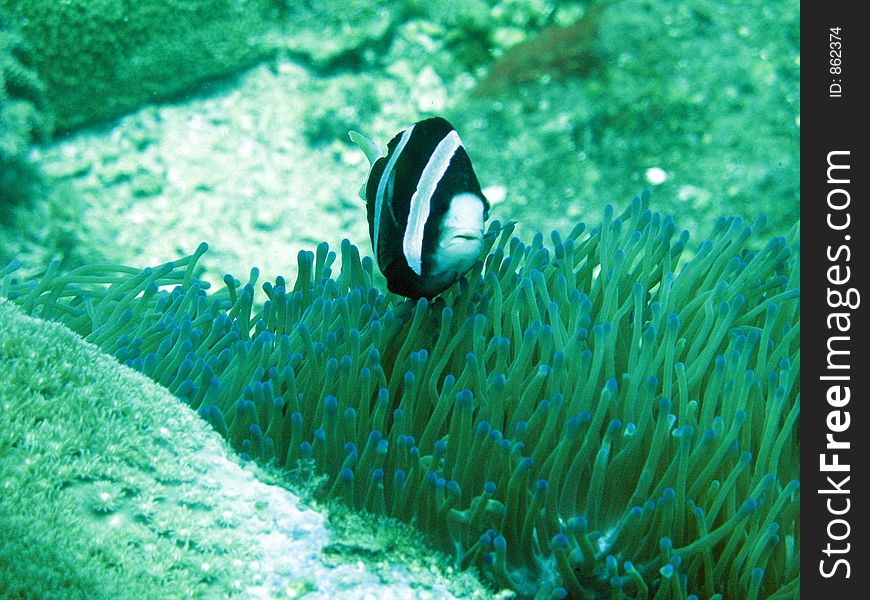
(424, 206)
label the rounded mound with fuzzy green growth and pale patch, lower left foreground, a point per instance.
(113, 489)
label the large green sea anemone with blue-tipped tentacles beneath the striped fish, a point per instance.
(599, 418)
